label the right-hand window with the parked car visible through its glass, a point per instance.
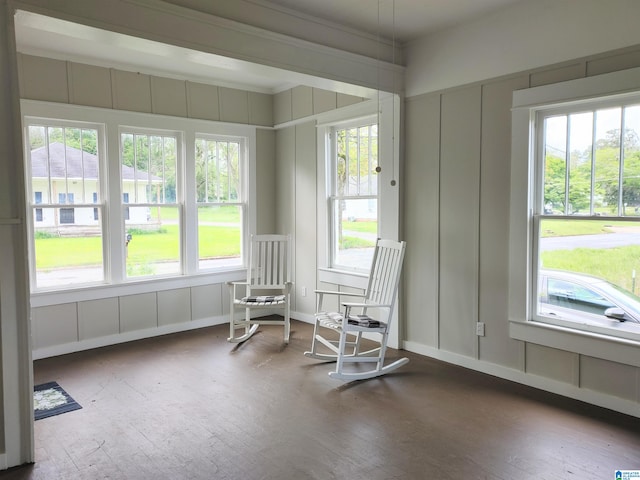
(587, 216)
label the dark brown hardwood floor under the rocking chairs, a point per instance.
(192, 406)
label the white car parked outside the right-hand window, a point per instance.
(571, 295)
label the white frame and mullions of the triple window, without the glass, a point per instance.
(116, 282)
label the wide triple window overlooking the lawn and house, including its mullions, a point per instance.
(117, 197)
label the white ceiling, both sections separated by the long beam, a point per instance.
(401, 20)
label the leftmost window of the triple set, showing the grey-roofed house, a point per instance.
(66, 202)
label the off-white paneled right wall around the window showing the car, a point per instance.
(457, 227)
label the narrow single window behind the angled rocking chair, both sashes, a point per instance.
(353, 195)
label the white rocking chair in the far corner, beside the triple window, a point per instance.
(268, 286)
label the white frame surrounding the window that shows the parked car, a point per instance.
(524, 324)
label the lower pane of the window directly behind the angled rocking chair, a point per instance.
(357, 229)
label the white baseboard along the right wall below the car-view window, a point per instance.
(617, 404)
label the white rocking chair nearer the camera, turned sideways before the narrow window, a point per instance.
(350, 325)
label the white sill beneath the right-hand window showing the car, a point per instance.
(620, 350)
